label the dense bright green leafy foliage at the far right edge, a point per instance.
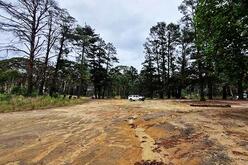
(222, 33)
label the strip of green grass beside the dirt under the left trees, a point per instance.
(11, 103)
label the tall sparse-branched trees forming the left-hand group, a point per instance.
(48, 36)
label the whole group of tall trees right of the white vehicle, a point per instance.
(206, 52)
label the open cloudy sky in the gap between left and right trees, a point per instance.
(125, 23)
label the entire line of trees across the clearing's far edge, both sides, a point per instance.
(205, 52)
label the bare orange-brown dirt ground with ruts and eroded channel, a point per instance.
(118, 132)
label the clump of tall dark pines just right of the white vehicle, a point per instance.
(160, 60)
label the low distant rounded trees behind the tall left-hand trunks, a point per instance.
(119, 81)
